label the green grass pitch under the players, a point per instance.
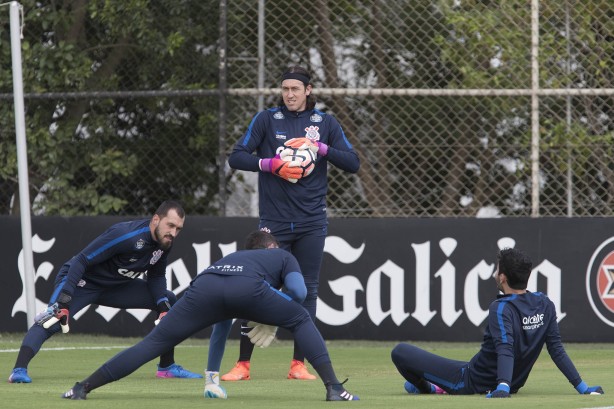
(367, 365)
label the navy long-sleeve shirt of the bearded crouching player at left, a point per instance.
(124, 252)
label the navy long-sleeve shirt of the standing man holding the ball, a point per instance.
(280, 200)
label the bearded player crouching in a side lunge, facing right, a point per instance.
(107, 272)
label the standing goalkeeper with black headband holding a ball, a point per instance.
(292, 206)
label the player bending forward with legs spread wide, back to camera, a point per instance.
(242, 284)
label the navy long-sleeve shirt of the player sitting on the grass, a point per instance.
(518, 327)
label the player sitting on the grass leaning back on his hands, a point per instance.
(519, 324)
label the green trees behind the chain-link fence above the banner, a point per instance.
(123, 103)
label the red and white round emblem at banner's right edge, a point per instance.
(600, 281)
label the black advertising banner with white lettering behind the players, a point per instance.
(381, 279)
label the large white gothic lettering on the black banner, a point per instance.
(348, 287)
